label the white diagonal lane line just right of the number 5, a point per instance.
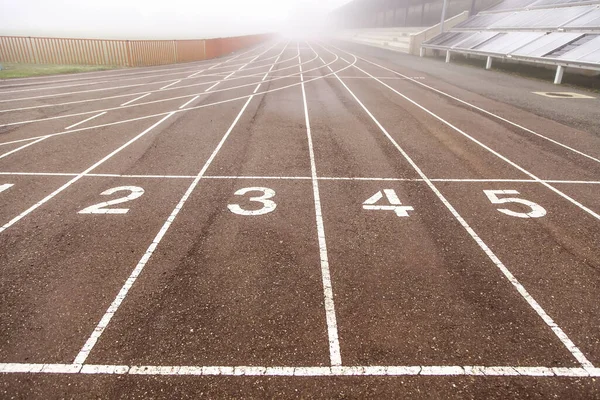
(494, 152)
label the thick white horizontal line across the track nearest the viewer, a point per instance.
(370, 370)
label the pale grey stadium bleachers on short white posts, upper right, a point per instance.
(564, 33)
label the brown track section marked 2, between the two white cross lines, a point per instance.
(59, 267)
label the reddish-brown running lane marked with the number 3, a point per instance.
(232, 286)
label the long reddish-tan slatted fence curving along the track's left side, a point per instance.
(126, 53)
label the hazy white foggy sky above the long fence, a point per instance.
(158, 19)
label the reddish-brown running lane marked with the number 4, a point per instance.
(400, 305)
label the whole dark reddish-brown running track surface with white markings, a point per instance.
(192, 275)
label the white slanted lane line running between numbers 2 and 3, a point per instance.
(116, 303)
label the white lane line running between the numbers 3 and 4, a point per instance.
(332, 331)
